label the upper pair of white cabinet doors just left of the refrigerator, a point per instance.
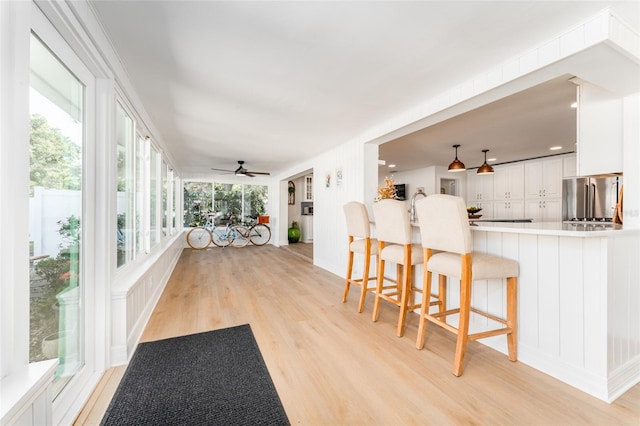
(543, 178)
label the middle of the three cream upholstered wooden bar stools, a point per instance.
(393, 231)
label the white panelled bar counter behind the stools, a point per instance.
(578, 300)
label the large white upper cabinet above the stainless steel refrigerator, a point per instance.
(600, 130)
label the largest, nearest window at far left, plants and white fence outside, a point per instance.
(57, 108)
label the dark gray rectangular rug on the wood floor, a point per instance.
(213, 378)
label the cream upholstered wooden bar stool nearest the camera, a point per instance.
(444, 225)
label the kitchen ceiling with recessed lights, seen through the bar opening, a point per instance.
(521, 126)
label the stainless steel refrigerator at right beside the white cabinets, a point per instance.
(590, 199)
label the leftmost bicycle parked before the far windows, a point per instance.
(201, 237)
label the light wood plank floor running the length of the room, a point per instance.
(334, 366)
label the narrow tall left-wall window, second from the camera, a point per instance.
(126, 224)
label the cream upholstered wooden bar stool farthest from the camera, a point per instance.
(360, 241)
